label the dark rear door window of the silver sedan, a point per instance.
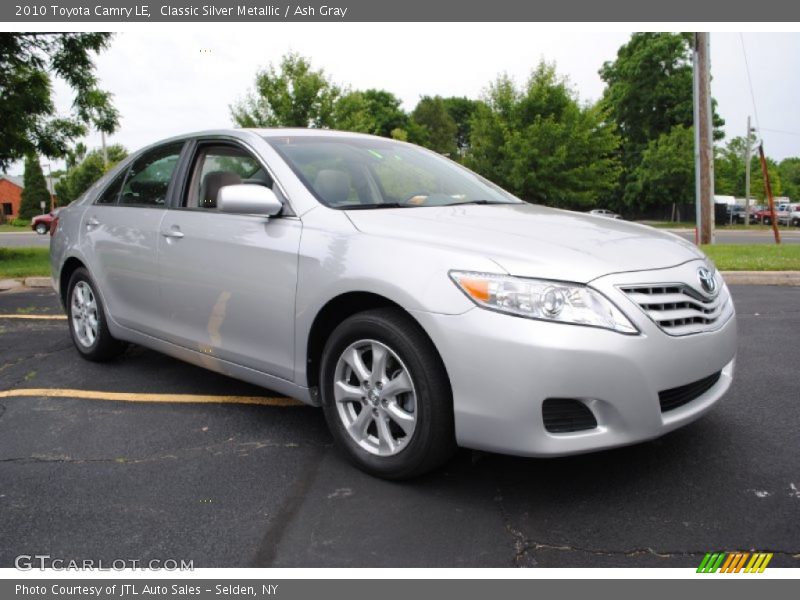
(149, 177)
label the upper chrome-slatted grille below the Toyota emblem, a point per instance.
(679, 309)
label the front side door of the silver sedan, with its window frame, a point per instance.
(228, 280)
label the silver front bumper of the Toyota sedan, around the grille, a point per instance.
(502, 368)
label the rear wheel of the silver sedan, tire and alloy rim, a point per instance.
(87, 320)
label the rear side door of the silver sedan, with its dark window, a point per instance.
(121, 235)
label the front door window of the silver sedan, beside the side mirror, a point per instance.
(218, 166)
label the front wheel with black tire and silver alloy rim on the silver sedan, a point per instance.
(386, 395)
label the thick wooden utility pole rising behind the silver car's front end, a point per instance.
(703, 130)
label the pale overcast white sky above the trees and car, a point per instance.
(169, 79)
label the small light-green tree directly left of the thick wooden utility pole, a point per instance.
(665, 174)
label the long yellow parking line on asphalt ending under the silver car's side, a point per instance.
(164, 398)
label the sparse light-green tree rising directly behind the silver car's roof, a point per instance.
(293, 95)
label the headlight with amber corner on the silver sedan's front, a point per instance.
(545, 300)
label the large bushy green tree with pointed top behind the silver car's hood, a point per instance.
(542, 144)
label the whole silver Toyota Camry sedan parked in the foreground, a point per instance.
(421, 306)
